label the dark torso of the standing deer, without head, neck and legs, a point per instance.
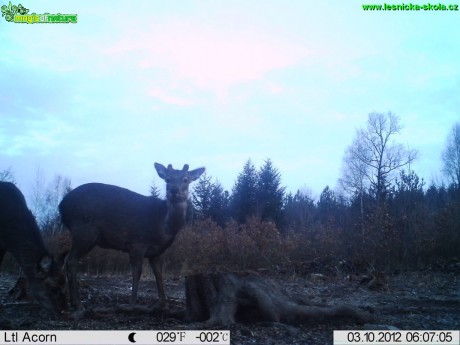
(115, 218)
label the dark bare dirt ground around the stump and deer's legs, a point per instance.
(420, 300)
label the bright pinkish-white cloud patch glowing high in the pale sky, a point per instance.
(209, 59)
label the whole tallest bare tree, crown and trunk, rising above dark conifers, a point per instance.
(369, 167)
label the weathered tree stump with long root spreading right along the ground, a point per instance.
(221, 299)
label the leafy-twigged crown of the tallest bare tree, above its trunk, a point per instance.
(375, 156)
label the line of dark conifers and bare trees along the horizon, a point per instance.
(382, 214)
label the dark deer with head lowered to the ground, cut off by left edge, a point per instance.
(19, 235)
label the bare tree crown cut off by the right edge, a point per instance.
(451, 155)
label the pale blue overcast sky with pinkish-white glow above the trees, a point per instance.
(214, 83)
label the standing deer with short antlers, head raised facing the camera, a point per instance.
(117, 218)
